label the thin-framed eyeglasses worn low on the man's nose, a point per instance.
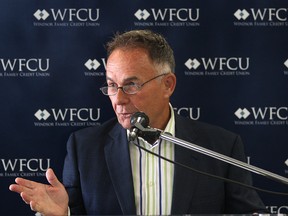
(130, 89)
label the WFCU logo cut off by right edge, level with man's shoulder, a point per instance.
(265, 116)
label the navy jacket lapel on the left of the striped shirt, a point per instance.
(119, 166)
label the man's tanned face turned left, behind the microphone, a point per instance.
(133, 66)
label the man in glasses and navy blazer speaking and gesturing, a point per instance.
(105, 173)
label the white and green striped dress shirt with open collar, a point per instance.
(152, 176)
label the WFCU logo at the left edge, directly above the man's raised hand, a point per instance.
(23, 167)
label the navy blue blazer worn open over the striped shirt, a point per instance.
(98, 178)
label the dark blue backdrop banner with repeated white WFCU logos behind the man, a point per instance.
(231, 66)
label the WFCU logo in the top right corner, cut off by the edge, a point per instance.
(271, 17)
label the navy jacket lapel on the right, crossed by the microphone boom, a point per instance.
(184, 180)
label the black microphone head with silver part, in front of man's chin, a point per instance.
(138, 119)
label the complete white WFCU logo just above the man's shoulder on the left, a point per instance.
(78, 117)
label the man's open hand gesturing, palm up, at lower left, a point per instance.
(46, 199)
